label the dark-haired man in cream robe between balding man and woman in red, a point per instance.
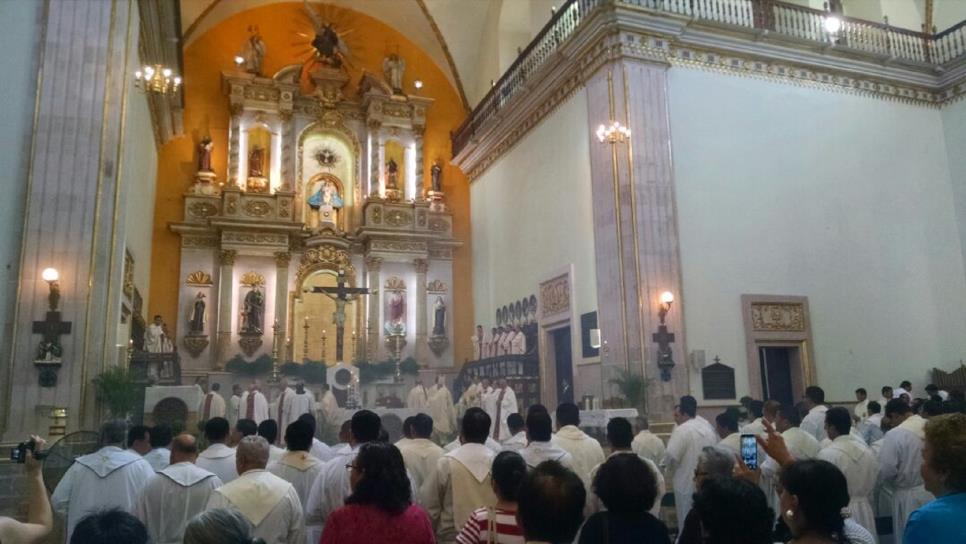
(299, 468)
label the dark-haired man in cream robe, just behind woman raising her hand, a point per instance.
(856, 461)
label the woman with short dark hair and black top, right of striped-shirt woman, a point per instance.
(627, 488)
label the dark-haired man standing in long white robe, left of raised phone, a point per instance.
(687, 440)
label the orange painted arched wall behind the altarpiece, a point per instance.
(206, 113)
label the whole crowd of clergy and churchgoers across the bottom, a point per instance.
(823, 474)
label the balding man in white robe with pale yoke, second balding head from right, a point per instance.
(176, 494)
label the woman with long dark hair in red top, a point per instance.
(380, 508)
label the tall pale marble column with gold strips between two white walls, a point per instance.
(635, 226)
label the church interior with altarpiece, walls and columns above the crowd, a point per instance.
(611, 203)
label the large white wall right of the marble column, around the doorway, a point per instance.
(847, 200)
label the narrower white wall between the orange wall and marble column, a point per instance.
(531, 216)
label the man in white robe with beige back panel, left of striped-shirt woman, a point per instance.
(461, 482)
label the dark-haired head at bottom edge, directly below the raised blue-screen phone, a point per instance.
(734, 511)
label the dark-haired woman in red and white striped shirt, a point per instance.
(499, 524)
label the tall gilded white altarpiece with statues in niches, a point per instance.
(317, 184)
